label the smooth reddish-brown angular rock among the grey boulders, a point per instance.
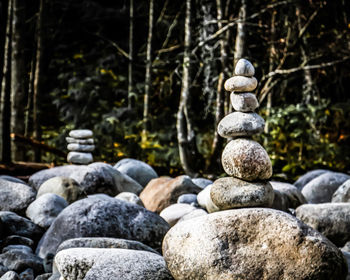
(164, 191)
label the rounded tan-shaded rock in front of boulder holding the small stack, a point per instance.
(66, 188)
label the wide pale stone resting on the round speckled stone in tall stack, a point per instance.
(241, 124)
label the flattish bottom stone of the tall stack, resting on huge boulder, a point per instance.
(229, 193)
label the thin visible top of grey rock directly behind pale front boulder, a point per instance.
(104, 242)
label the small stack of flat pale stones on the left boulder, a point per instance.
(80, 146)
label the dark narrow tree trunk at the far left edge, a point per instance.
(6, 91)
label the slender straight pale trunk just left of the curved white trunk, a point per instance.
(148, 79)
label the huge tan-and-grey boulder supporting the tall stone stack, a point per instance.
(250, 244)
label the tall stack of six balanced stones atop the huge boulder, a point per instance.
(245, 160)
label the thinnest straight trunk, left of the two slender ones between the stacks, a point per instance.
(131, 97)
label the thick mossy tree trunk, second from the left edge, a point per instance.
(18, 77)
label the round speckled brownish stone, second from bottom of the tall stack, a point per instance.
(246, 160)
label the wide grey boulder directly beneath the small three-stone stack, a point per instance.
(100, 177)
